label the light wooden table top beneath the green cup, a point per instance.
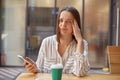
(44, 76)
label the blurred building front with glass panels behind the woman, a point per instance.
(24, 24)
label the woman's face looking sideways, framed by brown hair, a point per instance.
(65, 23)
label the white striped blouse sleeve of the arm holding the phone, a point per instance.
(40, 59)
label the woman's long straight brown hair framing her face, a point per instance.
(76, 15)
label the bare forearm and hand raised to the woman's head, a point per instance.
(78, 36)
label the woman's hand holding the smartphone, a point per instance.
(30, 65)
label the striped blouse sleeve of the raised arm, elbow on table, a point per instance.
(81, 64)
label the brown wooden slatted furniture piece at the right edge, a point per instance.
(114, 58)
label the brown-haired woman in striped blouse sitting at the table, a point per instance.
(67, 47)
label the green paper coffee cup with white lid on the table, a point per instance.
(56, 71)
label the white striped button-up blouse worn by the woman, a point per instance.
(73, 62)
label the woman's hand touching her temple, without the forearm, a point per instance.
(76, 31)
